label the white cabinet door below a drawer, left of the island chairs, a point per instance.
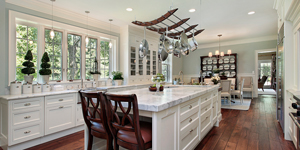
(59, 118)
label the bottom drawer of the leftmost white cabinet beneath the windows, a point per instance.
(27, 133)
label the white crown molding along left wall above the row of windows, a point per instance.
(62, 13)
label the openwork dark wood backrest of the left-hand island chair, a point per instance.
(90, 102)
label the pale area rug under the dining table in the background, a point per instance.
(237, 105)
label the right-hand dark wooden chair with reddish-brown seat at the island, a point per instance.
(127, 131)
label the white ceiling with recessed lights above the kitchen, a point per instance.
(227, 17)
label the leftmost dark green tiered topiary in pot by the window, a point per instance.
(28, 70)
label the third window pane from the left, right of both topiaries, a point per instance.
(74, 57)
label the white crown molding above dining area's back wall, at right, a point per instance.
(236, 42)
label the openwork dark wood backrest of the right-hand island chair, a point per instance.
(127, 123)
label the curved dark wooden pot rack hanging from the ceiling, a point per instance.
(155, 27)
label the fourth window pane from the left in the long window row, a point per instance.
(90, 55)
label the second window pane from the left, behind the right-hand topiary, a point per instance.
(54, 50)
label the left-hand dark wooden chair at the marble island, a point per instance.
(95, 117)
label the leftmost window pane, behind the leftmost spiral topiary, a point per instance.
(26, 39)
